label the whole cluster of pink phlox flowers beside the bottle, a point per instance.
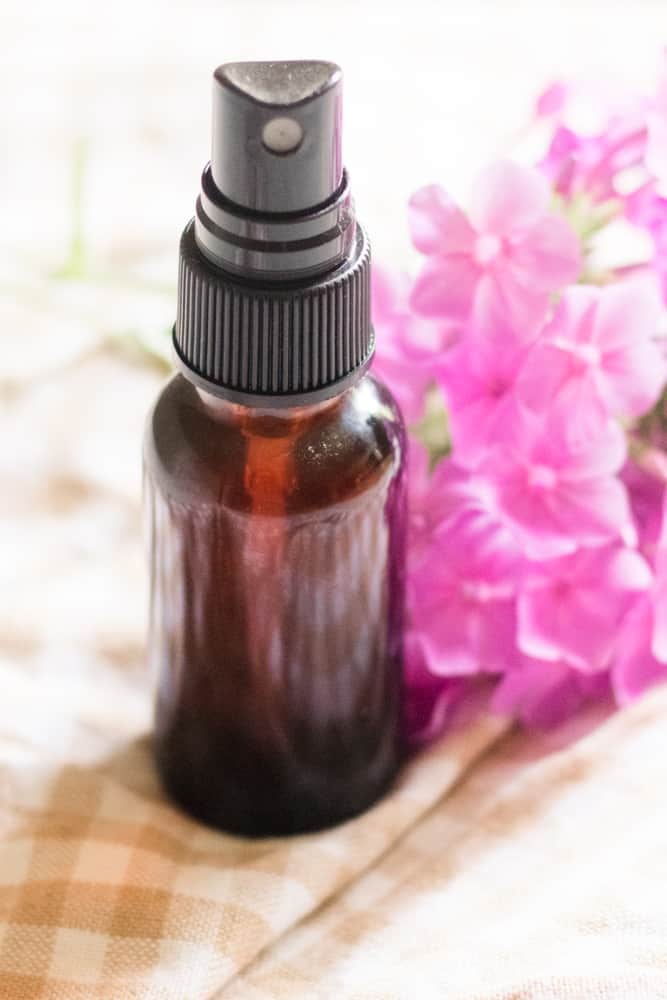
(532, 385)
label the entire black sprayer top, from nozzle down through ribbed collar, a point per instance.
(273, 300)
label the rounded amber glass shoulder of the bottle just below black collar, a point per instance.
(273, 461)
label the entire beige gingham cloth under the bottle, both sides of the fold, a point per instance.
(500, 868)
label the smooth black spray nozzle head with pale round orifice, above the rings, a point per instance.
(277, 134)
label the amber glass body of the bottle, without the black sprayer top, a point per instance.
(277, 572)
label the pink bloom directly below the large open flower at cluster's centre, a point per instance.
(569, 609)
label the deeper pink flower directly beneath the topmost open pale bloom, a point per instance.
(478, 378)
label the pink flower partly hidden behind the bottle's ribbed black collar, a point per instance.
(405, 343)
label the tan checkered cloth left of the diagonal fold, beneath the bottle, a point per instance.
(108, 892)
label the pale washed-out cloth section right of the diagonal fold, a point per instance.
(535, 879)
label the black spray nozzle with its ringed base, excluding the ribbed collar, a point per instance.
(275, 201)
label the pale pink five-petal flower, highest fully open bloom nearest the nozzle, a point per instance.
(512, 247)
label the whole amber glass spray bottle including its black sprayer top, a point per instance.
(274, 485)
